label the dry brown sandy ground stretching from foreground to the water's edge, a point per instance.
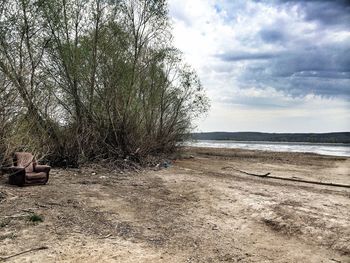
(194, 211)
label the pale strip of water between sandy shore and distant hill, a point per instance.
(335, 149)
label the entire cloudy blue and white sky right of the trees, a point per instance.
(268, 66)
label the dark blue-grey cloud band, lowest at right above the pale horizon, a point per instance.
(322, 71)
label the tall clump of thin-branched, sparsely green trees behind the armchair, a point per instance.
(93, 79)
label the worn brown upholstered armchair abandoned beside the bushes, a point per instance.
(25, 170)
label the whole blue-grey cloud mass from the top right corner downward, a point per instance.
(308, 64)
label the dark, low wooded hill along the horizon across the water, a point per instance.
(333, 137)
